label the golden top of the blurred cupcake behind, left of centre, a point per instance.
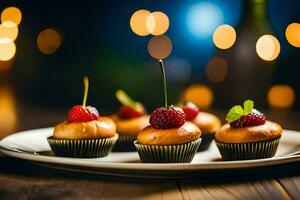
(130, 127)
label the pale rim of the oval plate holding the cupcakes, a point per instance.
(149, 166)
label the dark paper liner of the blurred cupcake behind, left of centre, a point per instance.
(124, 143)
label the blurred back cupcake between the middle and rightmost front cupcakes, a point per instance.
(208, 123)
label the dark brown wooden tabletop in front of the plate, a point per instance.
(23, 180)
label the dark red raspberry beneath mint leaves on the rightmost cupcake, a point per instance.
(253, 119)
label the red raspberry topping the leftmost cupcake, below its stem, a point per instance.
(82, 114)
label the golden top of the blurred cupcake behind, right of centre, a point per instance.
(208, 123)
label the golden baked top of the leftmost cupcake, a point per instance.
(104, 127)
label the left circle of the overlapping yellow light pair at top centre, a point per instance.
(138, 22)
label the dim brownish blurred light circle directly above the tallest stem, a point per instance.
(160, 47)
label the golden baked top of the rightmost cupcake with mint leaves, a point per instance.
(267, 131)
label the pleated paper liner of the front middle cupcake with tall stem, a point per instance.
(182, 153)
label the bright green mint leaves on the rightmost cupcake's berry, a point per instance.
(237, 112)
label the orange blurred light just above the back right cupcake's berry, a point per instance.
(199, 94)
